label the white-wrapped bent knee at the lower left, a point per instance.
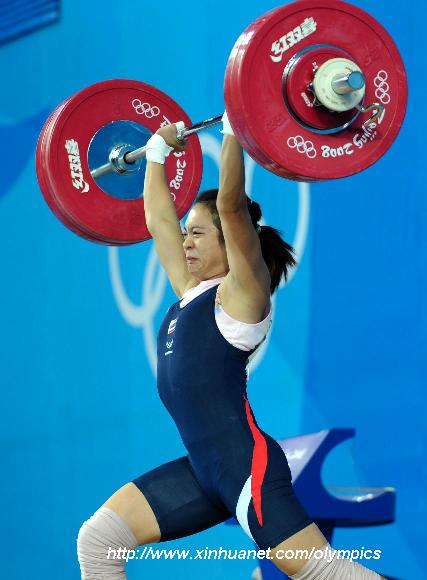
(104, 544)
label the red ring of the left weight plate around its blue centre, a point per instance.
(105, 218)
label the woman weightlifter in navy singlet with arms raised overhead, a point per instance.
(223, 268)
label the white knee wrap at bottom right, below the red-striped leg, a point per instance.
(331, 567)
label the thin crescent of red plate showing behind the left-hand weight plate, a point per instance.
(41, 169)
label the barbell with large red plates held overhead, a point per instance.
(314, 90)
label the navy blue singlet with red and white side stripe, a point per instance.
(232, 468)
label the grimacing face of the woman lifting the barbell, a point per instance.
(206, 256)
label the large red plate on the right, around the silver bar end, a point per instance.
(254, 100)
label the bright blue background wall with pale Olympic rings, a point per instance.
(80, 414)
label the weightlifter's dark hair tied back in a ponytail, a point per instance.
(277, 254)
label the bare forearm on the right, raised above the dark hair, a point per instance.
(231, 194)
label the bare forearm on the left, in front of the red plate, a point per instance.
(158, 202)
